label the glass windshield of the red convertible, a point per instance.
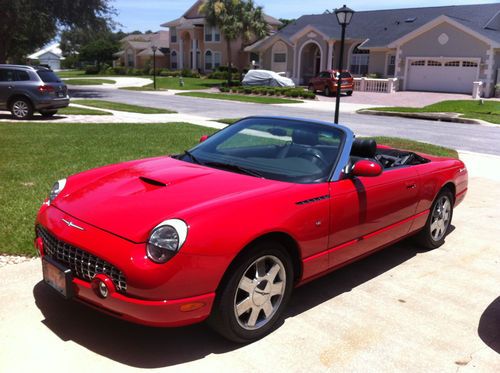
(272, 148)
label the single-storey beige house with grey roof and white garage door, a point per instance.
(443, 49)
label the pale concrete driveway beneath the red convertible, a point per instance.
(402, 309)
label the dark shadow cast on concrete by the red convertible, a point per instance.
(148, 347)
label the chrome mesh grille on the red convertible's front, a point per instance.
(83, 264)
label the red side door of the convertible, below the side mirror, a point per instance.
(370, 212)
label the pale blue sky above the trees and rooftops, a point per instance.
(145, 15)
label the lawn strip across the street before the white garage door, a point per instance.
(472, 109)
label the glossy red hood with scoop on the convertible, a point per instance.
(130, 199)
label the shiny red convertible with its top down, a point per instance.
(226, 230)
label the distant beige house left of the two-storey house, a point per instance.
(137, 50)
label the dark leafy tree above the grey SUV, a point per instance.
(27, 25)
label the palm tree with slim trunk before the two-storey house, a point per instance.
(234, 18)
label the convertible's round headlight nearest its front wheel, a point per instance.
(165, 240)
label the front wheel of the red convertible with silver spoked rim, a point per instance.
(251, 301)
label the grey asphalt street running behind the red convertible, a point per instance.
(474, 138)
